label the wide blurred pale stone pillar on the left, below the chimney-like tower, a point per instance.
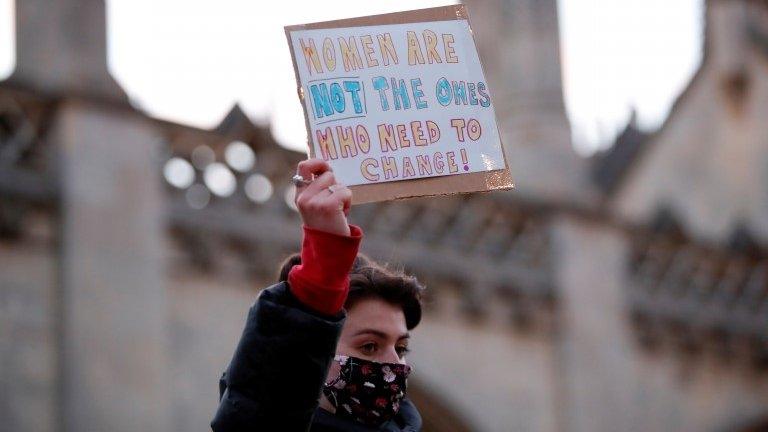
(114, 308)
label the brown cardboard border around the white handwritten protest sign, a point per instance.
(424, 187)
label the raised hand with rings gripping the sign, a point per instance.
(323, 204)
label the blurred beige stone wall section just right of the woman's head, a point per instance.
(493, 377)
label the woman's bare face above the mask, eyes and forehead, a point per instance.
(375, 330)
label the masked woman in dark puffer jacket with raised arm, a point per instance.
(324, 349)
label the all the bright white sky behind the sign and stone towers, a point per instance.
(190, 60)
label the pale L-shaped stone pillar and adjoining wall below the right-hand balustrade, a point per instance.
(612, 382)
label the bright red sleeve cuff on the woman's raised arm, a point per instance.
(321, 281)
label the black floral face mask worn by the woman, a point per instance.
(367, 391)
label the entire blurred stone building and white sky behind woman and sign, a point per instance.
(145, 153)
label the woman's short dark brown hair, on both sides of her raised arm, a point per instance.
(367, 279)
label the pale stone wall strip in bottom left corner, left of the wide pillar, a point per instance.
(29, 382)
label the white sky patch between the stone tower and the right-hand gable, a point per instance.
(624, 55)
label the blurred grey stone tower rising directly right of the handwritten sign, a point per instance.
(519, 44)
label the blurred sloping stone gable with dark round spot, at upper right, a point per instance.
(709, 163)
